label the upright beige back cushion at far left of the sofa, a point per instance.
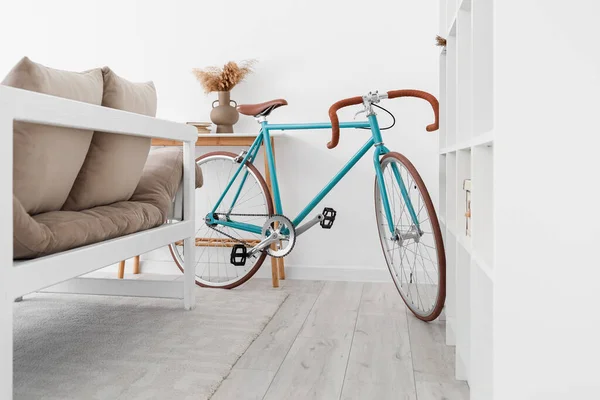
(47, 159)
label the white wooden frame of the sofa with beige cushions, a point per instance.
(20, 278)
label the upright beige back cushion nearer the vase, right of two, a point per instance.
(113, 166)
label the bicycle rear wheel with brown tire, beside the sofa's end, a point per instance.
(213, 248)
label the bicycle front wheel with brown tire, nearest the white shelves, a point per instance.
(414, 252)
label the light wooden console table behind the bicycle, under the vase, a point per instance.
(238, 139)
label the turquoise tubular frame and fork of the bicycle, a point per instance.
(264, 137)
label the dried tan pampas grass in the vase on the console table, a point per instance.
(216, 79)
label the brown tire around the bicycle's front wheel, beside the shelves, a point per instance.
(437, 233)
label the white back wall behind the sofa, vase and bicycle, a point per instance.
(310, 52)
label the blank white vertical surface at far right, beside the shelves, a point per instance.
(546, 288)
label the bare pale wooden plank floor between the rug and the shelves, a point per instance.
(344, 340)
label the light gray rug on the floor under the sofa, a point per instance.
(91, 347)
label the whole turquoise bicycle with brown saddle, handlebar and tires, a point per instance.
(240, 221)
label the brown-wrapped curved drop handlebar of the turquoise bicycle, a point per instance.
(392, 94)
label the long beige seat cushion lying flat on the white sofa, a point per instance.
(57, 231)
